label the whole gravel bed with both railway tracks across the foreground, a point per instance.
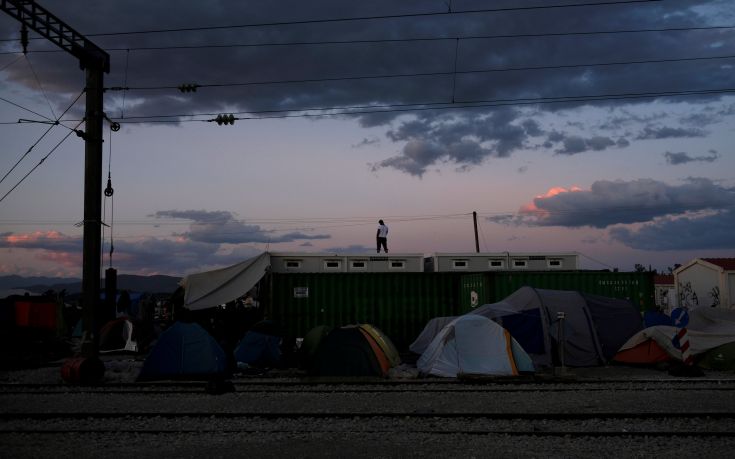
(359, 418)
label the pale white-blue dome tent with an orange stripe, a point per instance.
(473, 344)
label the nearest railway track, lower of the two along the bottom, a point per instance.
(706, 425)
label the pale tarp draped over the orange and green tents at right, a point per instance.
(707, 329)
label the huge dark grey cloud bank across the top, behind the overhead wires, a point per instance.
(464, 137)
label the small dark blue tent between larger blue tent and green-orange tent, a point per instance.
(260, 346)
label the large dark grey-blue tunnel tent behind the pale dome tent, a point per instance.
(594, 327)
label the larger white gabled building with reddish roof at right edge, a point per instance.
(706, 282)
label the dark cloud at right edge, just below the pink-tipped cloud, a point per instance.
(708, 232)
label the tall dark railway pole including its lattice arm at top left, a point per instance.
(95, 63)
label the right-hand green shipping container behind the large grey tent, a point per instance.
(633, 286)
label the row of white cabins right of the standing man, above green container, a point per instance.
(502, 261)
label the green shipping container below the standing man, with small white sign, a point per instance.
(400, 304)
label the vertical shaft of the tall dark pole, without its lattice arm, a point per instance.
(92, 244)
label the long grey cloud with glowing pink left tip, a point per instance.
(609, 203)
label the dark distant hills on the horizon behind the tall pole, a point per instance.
(151, 284)
